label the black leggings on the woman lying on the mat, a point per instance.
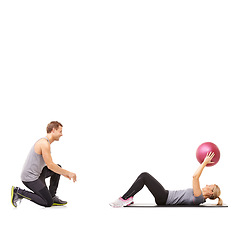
(157, 190)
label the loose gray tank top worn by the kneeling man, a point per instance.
(33, 165)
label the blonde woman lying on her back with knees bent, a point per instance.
(191, 196)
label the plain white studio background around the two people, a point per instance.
(138, 86)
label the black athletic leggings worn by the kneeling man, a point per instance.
(41, 195)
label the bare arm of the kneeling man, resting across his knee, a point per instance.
(45, 146)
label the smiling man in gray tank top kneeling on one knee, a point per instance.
(38, 166)
